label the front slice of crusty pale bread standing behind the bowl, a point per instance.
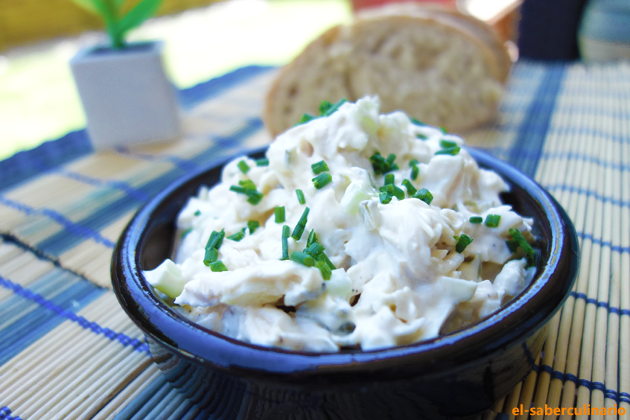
(384, 54)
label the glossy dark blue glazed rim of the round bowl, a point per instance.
(478, 340)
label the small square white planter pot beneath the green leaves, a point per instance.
(126, 96)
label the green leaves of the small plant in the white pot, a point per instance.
(116, 20)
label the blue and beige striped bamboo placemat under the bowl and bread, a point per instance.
(68, 351)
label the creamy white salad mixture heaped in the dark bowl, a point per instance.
(398, 277)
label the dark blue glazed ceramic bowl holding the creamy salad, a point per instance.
(457, 375)
